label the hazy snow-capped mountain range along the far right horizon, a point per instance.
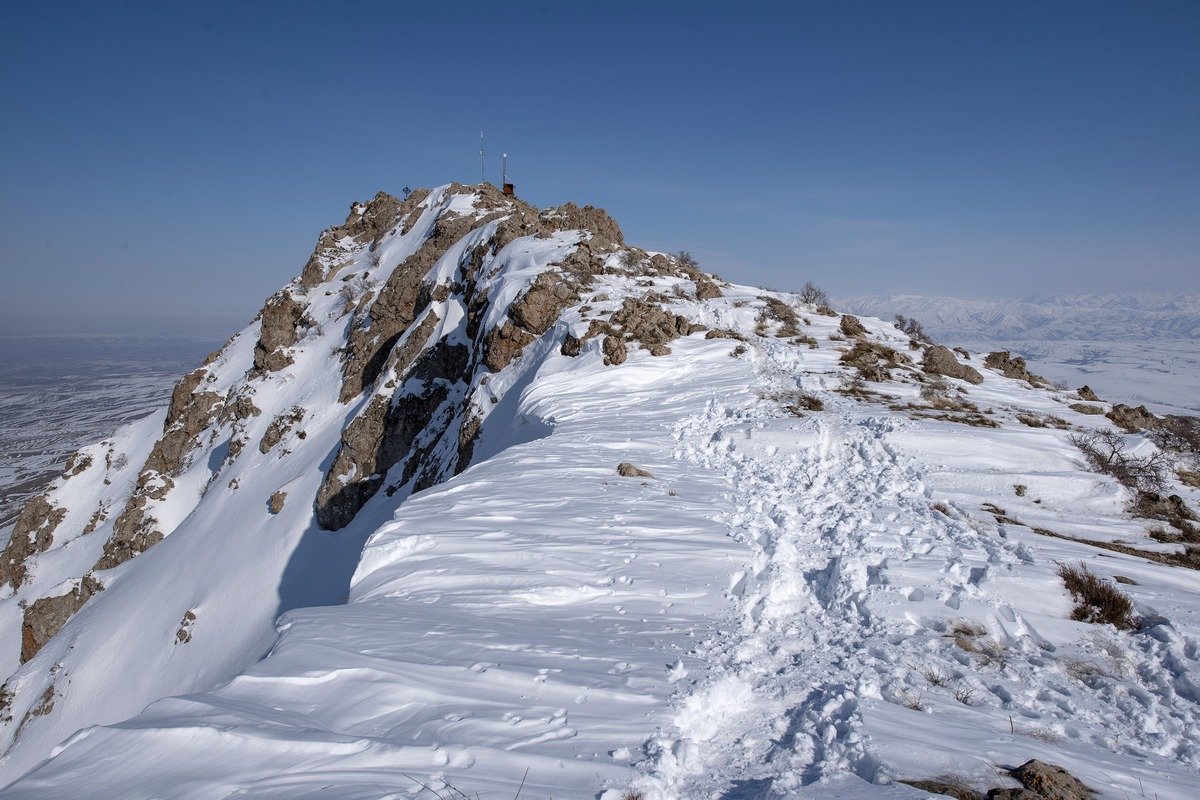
(1112, 317)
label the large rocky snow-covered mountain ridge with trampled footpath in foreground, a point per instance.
(489, 498)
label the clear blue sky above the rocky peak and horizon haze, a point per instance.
(166, 166)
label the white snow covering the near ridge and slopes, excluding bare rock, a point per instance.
(802, 604)
